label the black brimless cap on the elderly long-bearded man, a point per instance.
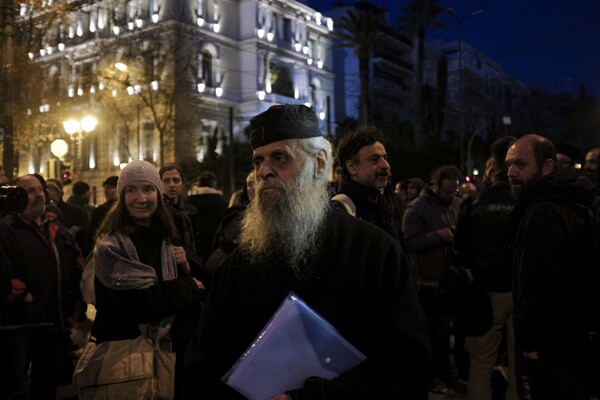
(282, 122)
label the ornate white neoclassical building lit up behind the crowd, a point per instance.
(164, 78)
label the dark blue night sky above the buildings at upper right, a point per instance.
(549, 43)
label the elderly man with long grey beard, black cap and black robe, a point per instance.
(349, 271)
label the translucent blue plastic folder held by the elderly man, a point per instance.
(296, 343)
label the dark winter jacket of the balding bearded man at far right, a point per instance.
(557, 279)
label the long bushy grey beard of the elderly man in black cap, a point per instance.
(284, 220)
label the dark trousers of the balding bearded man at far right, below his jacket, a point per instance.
(550, 382)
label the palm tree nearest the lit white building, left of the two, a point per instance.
(360, 31)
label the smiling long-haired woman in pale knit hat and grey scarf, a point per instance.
(141, 280)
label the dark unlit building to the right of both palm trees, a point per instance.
(479, 99)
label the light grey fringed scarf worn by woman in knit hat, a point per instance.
(116, 264)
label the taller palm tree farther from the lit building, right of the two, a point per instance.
(416, 17)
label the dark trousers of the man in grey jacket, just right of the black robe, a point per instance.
(436, 317)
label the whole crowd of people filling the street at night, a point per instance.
(439, 282)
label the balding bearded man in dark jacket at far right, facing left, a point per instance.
(557, 324)
